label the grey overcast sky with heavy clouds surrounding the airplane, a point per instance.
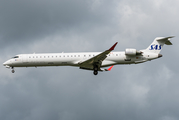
(147, 91)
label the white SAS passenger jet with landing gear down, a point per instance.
(94, 61)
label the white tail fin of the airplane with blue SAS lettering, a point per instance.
(158, 43)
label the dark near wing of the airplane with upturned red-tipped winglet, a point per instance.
(96, 60)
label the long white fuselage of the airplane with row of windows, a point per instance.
(74, 59)
